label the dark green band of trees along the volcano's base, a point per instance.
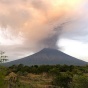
(52, 69)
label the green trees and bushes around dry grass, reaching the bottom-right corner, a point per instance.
(64, 76)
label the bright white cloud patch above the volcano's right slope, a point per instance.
(75, 48)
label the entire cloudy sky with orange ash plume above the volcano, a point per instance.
(27, 26)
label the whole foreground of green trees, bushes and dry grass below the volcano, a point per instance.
(44, 76)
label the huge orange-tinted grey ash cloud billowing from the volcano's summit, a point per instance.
(37, 23)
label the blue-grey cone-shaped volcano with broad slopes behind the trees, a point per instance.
(48, 56)
